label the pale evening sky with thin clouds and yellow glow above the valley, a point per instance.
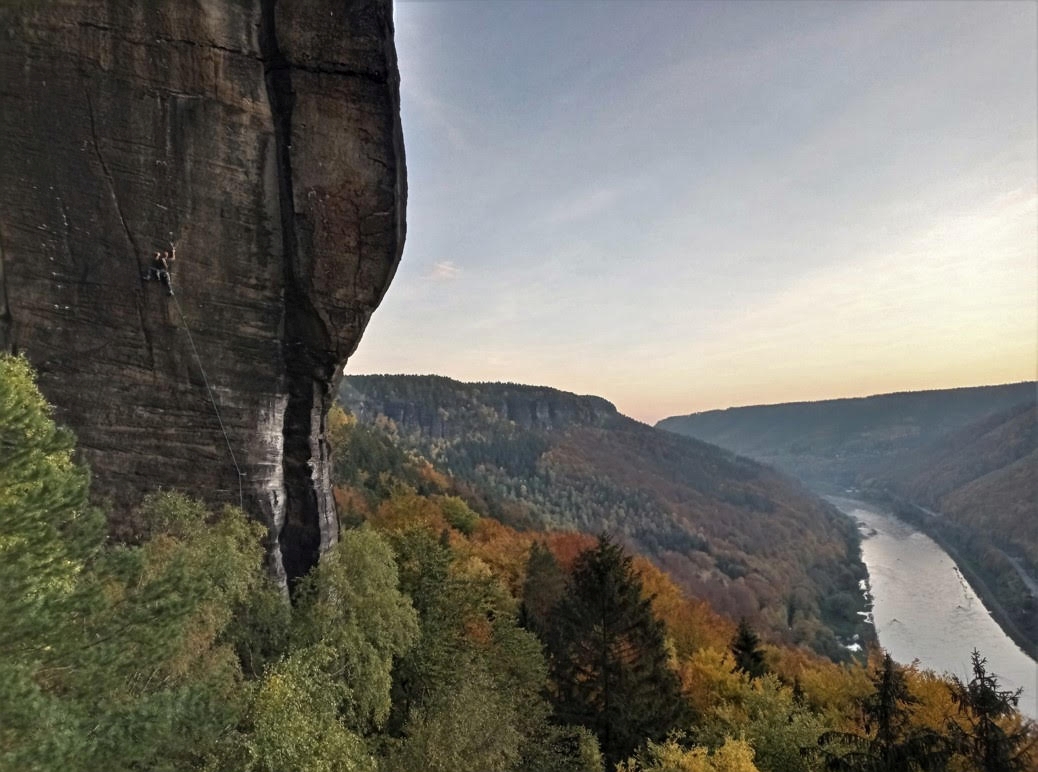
(685, 206)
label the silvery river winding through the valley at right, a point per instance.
(925, 611)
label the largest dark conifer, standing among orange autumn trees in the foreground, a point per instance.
(610, 661)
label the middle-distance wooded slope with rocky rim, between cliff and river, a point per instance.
(752, 543)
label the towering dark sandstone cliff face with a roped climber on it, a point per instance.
(264, 137)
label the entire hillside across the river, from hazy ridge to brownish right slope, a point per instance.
(963, 464)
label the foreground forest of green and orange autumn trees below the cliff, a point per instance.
(430, 638)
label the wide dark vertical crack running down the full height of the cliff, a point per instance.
(305, 335)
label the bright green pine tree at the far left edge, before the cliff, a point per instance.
(48, 537)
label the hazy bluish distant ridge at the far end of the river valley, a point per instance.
(832, 443)
